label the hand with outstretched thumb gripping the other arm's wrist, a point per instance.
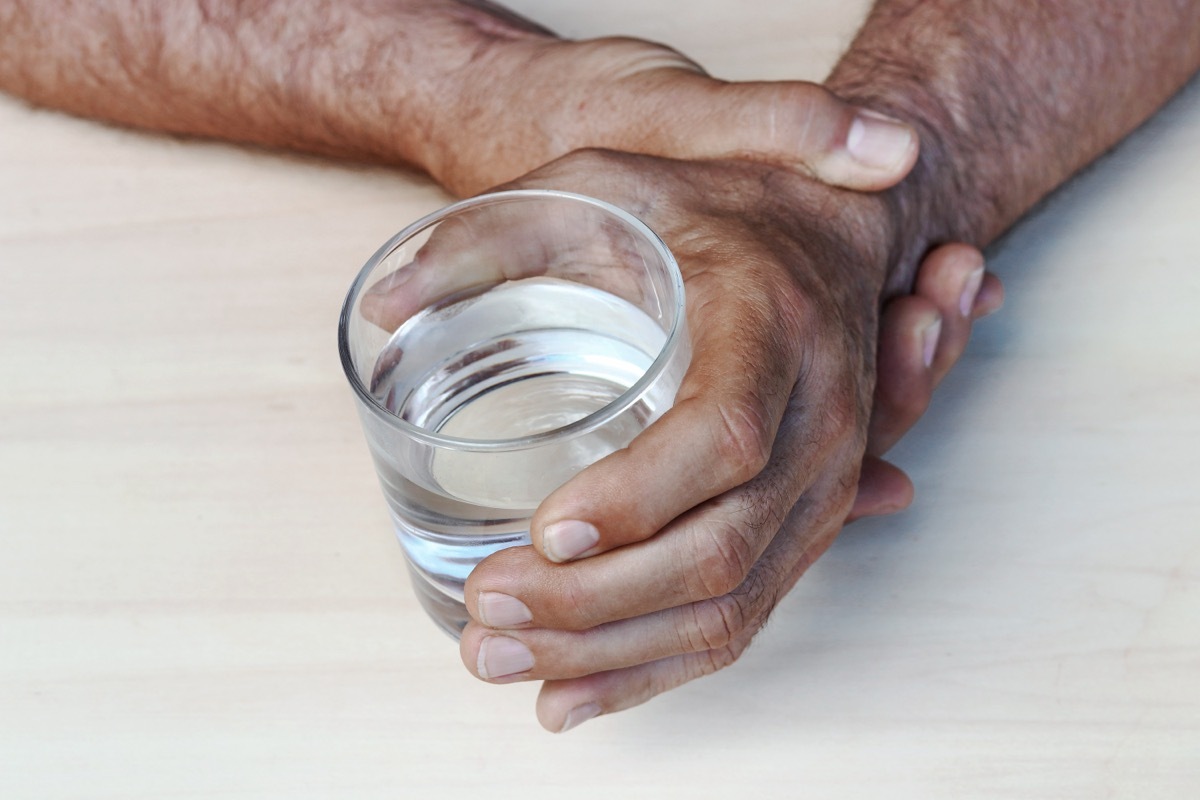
(532, 98)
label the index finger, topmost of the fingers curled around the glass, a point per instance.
(718, 436)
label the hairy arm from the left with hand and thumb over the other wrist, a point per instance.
(463, 89)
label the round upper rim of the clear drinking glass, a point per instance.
(585, 425)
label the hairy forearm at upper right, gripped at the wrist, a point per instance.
(1011, 100)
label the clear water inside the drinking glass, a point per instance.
(525, 358)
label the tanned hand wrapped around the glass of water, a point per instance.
(686, 540)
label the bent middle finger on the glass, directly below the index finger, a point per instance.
(707, 554)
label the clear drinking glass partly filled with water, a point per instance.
(496, 348)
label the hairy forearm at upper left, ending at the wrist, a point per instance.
(368, 80)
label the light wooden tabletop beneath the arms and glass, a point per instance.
(201, 596)
